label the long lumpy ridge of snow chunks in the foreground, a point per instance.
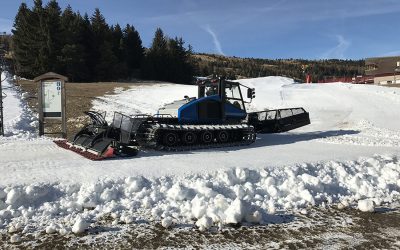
(224, 197)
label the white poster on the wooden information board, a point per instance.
(52, 101)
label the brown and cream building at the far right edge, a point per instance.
(383, 70)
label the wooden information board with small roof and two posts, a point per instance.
(52, 102)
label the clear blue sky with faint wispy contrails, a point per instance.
(310, 29)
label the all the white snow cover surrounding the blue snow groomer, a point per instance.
(349, 155)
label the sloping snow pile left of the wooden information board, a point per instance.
(19, 120)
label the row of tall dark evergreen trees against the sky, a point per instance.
(45, 38)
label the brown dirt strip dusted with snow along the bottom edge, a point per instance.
(319, 229)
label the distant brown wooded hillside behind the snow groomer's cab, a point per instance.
(234, 67)
